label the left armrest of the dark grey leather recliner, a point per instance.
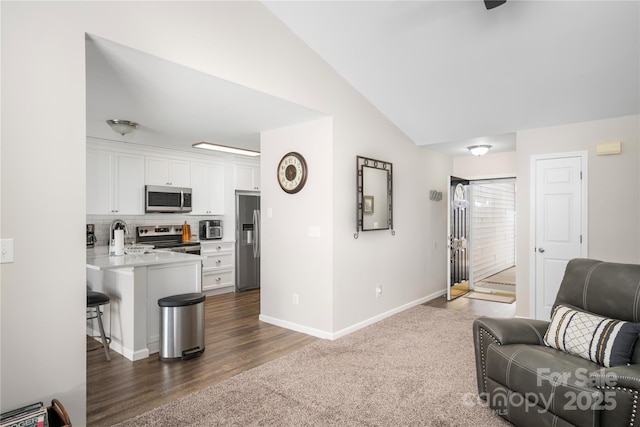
(493, 331)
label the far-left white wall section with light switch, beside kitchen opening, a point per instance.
(42, 172)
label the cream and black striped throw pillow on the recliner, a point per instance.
(608, 342)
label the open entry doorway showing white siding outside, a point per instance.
(481, 225)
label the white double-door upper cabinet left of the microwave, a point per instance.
(115, 183)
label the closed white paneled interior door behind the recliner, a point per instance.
(560, 224)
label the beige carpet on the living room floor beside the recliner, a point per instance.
(413, 369)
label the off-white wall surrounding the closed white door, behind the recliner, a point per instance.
(613, 191)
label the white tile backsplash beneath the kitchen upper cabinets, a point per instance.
(103, 222)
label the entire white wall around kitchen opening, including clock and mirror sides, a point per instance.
(43, 162)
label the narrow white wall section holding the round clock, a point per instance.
(297, 242)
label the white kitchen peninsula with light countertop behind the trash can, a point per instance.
(134, 284)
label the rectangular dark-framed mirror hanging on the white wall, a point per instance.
(374, 195)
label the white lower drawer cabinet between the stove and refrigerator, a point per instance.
(218, 268)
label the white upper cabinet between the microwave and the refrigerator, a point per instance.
(207, 183)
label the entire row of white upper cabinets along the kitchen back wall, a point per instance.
(117, 174)
